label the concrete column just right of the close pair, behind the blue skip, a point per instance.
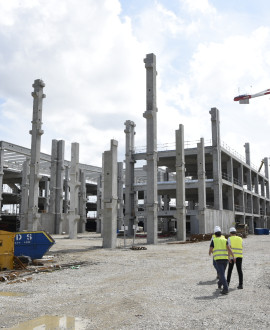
(74, 185)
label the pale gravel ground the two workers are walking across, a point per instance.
(167, 286)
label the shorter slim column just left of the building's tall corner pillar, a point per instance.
(201, 186)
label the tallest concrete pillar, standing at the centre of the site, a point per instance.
(151, 152)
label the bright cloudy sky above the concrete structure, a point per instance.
(90, 53)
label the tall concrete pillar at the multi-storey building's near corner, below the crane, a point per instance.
(217, 175)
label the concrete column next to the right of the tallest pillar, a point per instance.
(180, 184)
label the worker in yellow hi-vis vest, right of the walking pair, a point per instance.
(236, 244)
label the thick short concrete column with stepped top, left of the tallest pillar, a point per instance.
(110, 197)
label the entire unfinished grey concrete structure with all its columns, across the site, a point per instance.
(187, 188)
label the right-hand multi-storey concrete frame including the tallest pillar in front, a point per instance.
(191, 188)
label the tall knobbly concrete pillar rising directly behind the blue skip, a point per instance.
(36, 133)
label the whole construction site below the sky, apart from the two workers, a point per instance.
(119, 237)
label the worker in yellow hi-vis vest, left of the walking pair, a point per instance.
(220, 249)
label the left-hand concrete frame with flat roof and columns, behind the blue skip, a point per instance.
(46, 191)
